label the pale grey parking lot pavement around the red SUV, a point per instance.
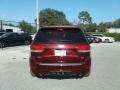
(105, 71)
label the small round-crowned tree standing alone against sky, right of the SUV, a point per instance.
(84, 17)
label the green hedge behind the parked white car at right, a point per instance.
(116, 36)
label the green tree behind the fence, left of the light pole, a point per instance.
(27, 27)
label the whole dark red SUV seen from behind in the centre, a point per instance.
(60, 50)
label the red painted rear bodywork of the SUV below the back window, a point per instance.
(45, 54)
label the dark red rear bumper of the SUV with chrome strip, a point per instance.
(51, 68)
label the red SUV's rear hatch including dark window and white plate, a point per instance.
(60, 45)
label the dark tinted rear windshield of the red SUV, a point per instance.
(68, 35)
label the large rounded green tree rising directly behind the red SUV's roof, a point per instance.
(50, 17)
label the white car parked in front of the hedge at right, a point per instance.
(104, 39)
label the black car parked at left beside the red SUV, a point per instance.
(9, 39)
